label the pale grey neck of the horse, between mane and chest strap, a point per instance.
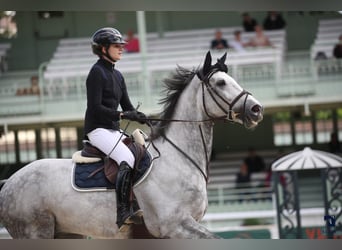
(193, 138)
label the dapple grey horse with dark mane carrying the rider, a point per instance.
(38, 201)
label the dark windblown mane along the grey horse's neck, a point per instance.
(174, 86)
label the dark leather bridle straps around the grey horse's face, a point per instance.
(215, 95)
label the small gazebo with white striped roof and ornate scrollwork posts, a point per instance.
(287, 197)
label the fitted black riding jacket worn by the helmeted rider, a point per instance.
(106, 89)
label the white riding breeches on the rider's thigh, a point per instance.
(105, 140)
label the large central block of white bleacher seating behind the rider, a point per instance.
(73, 57)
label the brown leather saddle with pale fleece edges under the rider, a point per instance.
(91, 154)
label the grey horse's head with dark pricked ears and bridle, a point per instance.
(223, 96)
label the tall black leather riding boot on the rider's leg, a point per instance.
(123, 191)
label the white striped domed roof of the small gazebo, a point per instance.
(307, 159)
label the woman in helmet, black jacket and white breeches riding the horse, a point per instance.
(106, 89)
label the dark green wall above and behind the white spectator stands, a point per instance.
(37, 38)
